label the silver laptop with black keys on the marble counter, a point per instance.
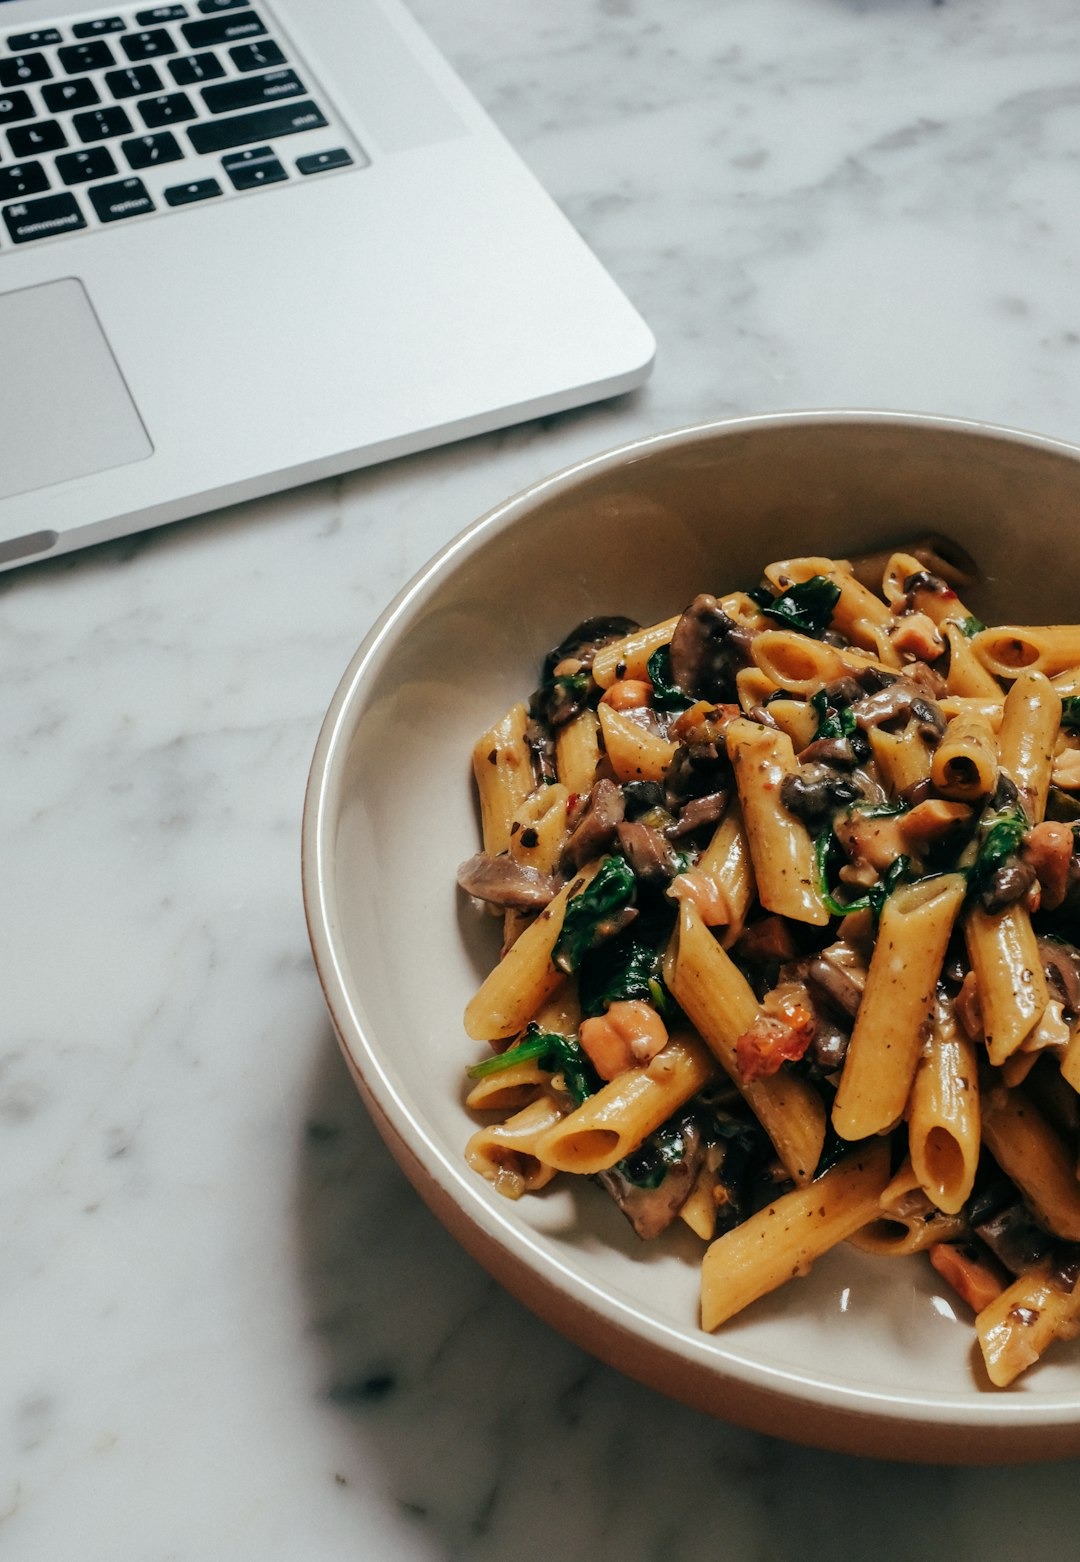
(251, 244)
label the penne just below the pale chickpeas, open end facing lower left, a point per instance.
(620, 1118)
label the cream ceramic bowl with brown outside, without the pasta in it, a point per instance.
(867, 1355)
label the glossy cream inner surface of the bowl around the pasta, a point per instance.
(642, 538)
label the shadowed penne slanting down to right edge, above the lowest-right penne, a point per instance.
(1035, 1158)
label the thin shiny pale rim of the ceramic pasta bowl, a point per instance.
(485, 1230)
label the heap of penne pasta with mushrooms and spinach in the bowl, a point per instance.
(790, 890)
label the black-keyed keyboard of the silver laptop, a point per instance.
(115, 118)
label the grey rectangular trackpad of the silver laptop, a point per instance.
(65, 408)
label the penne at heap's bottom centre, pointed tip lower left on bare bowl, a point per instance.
(784, 1239)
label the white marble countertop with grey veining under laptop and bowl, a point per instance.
(231, 1330)
